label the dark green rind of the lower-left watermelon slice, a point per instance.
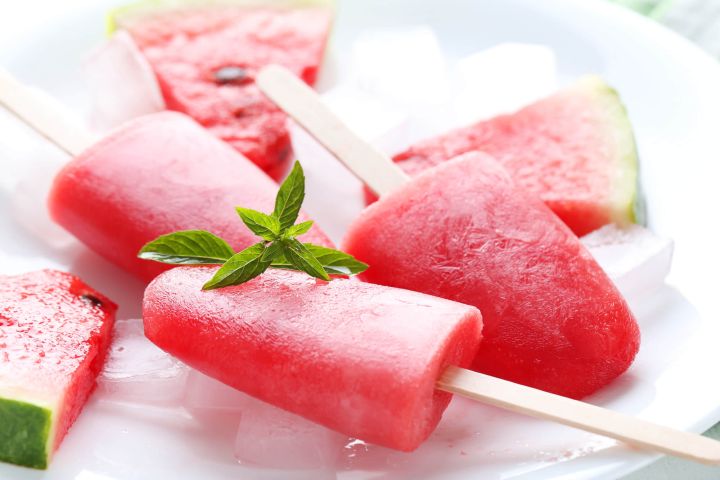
(25, 433)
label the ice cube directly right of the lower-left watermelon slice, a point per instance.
(137, 371)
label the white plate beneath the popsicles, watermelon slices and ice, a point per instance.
(672, 91)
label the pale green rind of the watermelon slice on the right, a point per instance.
(626, 203)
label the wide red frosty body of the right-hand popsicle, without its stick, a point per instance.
(552, 318)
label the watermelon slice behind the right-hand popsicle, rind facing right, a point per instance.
(575, 149)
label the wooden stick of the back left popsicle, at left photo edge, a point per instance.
(44, 114)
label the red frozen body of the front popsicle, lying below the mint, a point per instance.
(358, 358)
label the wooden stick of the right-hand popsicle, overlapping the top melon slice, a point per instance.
(301, 103)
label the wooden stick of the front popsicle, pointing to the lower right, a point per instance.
(537, 403)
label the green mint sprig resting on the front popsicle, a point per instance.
(278, 248)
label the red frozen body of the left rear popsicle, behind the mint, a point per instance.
(156, 175)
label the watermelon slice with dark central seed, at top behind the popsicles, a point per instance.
(206, 55)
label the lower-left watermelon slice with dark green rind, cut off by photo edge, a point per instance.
(54, 334)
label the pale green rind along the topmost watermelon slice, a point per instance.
(122, 16)
